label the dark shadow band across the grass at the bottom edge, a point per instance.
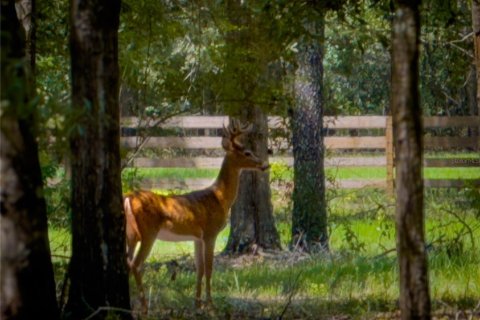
(298, 308)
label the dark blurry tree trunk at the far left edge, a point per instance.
(27, 282)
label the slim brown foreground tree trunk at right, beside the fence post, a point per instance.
(407, 122)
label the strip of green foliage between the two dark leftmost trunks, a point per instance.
(55, 119)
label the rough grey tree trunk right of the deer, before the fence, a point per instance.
(309, 216)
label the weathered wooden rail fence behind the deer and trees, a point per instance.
(382, 142)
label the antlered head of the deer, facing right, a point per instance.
(231, 143)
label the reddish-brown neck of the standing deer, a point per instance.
(226, 185)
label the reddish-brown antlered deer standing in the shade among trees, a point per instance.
(198, 216)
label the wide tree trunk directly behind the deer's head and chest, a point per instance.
(252, 222)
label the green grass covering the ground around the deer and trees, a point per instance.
(358, 278)
